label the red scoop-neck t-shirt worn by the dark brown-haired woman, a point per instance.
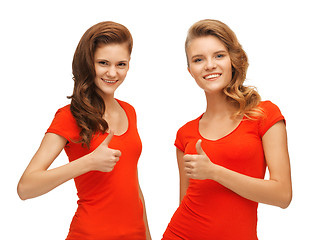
(109, 206)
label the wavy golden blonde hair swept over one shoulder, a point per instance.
(246, 98)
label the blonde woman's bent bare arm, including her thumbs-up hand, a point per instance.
(275, 191)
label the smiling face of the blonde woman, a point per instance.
(209, 63)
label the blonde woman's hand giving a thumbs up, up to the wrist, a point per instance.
(198, 166)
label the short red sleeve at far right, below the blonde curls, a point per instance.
(271, 115)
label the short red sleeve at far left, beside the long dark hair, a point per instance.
(64, 124)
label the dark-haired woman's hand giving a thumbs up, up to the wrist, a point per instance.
(104, 158)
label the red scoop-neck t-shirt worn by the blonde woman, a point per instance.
(210, 211)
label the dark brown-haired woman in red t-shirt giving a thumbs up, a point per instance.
(99, 135)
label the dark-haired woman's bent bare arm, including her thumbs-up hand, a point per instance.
(38, 180)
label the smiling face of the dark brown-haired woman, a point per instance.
(111, 65)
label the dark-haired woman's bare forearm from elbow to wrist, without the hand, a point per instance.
(39, 182)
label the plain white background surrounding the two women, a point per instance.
(286, 42)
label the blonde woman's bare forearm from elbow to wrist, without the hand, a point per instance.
(273, 192)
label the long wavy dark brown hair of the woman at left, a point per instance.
(87, 106)
